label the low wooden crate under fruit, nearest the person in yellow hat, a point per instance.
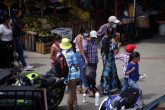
(43, 48)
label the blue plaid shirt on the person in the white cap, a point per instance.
(92, 53)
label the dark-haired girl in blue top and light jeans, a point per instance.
(133, 72)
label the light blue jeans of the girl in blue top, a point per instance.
(135, 85)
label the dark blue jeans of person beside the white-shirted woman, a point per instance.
(19, 50)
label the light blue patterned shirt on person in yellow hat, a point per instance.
(71, 61)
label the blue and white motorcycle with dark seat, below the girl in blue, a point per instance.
(126, 98)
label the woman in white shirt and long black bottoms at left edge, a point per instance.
(6, 43)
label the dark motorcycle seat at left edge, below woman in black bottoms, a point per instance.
(4, 75)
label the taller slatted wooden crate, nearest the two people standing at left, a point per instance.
(30, 41)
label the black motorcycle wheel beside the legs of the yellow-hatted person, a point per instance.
(54, 97)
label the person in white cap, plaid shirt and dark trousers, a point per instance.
(92, 56)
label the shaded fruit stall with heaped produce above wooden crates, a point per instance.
(42, 21)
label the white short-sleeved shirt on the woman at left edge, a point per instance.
(6, 33)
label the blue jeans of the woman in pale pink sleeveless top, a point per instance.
(81, 64)
